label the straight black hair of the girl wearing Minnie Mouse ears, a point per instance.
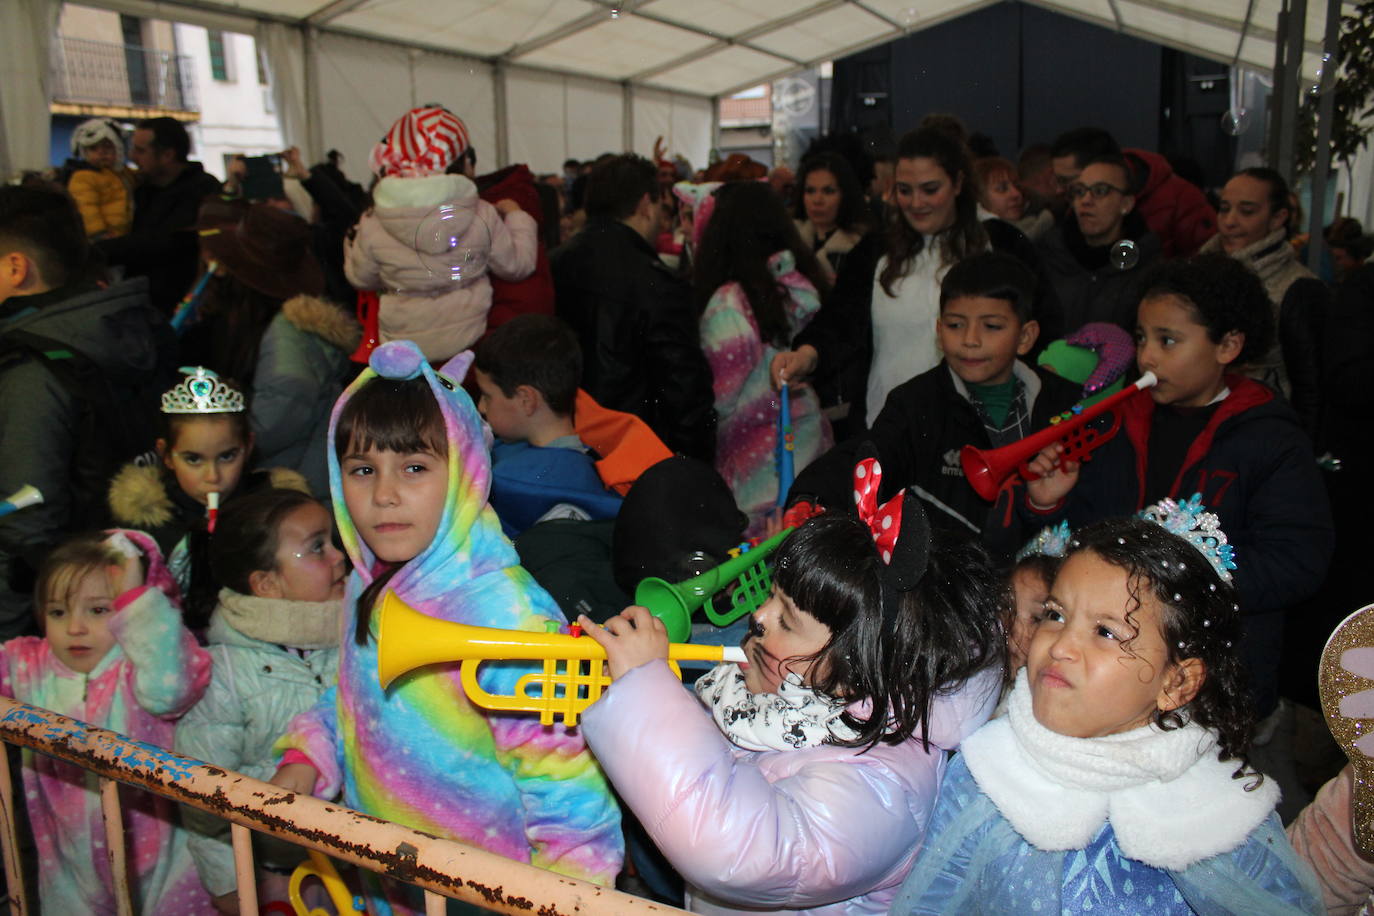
(943, 632)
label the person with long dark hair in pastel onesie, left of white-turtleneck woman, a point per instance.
(756, 285)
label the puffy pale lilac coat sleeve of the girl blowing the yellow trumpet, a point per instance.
(780, 832)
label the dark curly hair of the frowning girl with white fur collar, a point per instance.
(1199, 619)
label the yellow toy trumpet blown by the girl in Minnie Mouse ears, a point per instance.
(572, 679)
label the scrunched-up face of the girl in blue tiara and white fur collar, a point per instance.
(1099, 664)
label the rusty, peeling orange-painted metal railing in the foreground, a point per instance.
(443, 869)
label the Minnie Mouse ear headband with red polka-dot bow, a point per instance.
(901, 534)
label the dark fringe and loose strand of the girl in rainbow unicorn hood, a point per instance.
(388, 415)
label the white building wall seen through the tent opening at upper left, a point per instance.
(236, 115)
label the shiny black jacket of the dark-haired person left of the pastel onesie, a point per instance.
(640, 334)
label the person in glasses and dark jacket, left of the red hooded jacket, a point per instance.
(1099, 255)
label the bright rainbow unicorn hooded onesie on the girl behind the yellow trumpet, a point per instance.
(420, 753)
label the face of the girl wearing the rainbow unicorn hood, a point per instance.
(395, 501)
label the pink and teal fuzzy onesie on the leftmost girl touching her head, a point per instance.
(152, 675)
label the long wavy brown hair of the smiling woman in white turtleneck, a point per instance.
(967, 237)
